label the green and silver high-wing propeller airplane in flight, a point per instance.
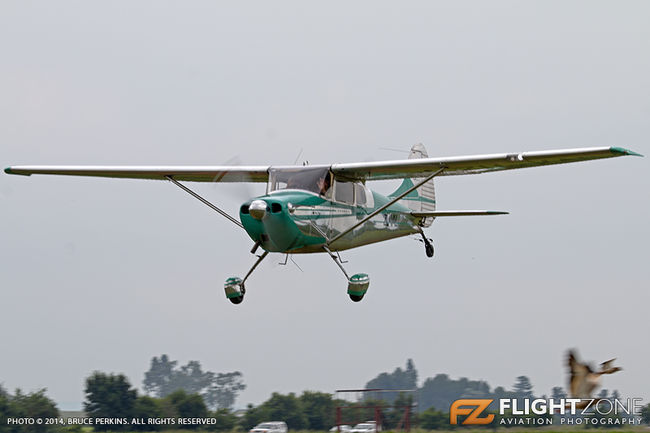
(329, 208)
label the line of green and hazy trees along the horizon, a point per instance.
(172, 391)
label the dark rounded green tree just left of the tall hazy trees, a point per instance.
(109, 396)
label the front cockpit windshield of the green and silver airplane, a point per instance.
(318, 180)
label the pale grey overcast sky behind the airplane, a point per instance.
(104, 274)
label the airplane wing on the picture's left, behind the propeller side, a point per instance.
(225, 173)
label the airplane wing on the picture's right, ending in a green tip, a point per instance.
(472, 164)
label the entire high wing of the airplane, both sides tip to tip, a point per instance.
(397, 169)
